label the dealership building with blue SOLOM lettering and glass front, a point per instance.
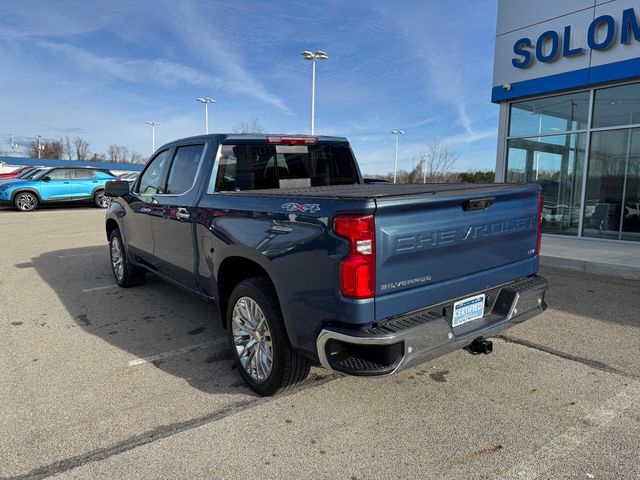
(567, 79)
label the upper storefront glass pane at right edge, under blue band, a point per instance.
(617, 106)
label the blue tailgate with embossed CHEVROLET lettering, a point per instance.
(434, 248)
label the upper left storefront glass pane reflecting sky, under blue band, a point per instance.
(563, 113)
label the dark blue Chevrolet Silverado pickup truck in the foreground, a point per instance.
(311, 264)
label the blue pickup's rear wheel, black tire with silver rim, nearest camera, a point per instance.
(261, 348)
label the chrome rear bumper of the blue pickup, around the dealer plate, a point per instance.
(406, 341)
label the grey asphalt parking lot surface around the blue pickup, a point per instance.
(103, 382)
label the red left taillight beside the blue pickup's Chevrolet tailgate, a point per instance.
(358, 268)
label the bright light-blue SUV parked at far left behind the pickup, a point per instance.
(57, 185)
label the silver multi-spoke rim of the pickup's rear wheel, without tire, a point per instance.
(252, 339)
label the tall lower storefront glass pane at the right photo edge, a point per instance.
(612, 208)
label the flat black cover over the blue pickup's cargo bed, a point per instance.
(377, 191)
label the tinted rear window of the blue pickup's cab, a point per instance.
(263, 166)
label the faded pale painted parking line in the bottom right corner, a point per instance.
(561, 446)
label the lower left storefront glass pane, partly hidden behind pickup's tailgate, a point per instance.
(555, 162)
